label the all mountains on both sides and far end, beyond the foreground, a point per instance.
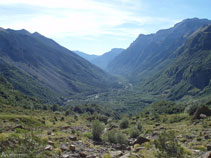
(170, 64)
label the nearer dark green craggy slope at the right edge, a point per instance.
(190, 73)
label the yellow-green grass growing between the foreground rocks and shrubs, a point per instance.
(190, 133)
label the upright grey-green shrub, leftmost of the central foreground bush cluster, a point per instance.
(97, 130)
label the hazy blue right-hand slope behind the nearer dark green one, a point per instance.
(149, 54)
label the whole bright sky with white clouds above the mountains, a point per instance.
(97, 26)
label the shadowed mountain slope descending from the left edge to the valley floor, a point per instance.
(47, 64)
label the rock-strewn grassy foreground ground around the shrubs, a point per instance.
(53, 134)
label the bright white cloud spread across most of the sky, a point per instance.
(79, 18)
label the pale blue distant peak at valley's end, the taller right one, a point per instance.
(103, 60)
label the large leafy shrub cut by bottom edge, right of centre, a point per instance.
(168, 146)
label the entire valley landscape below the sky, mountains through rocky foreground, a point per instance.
(151, 100)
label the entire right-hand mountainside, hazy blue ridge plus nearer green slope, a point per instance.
(171, 63)
